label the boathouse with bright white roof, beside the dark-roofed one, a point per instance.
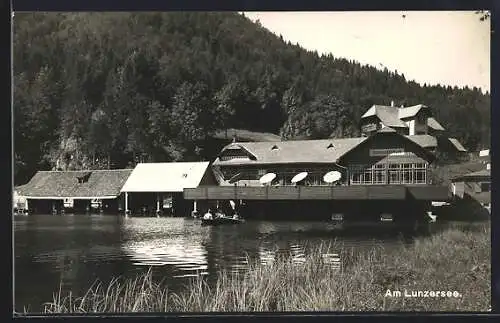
(157, 188)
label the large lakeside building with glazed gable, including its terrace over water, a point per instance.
(383, 172)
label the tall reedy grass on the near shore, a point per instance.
(453, 260)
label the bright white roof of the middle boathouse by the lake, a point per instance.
(165, 177)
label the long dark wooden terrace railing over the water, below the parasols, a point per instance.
(353, 192)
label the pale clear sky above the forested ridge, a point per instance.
(433, 47)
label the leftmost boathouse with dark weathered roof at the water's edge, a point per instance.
(74, 191)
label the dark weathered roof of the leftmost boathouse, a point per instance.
(99, 184)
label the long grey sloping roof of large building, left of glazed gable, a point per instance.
(294, 151)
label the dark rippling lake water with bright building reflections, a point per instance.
(72, 251)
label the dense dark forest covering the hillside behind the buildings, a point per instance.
(99, 90)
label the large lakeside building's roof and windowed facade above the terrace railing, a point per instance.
(384, 158)
